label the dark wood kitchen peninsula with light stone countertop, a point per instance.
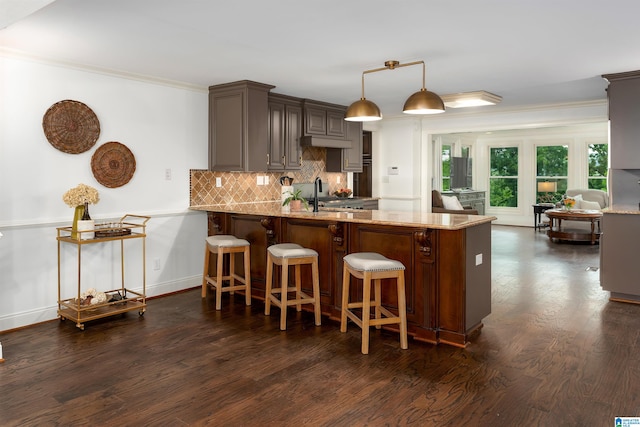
(447, 258)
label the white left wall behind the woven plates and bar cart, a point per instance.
(165, 126)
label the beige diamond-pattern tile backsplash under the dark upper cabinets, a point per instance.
(242, 187)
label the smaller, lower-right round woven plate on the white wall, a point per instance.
(113, 164)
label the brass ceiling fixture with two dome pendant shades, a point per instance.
(421, 102)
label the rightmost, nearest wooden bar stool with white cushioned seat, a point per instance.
(370, 266)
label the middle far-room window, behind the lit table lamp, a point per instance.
(552, 164)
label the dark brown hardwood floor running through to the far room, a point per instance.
(554, 351)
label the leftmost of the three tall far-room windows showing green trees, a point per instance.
(503, 182)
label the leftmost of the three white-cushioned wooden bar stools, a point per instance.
(220, 245)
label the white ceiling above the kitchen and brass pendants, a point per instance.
(531, 53)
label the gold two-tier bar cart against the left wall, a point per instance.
(119, 300)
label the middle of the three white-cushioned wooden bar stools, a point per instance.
(285, 255)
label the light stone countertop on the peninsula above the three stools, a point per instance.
(382, 217)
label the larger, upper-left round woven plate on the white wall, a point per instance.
(71, 126)
